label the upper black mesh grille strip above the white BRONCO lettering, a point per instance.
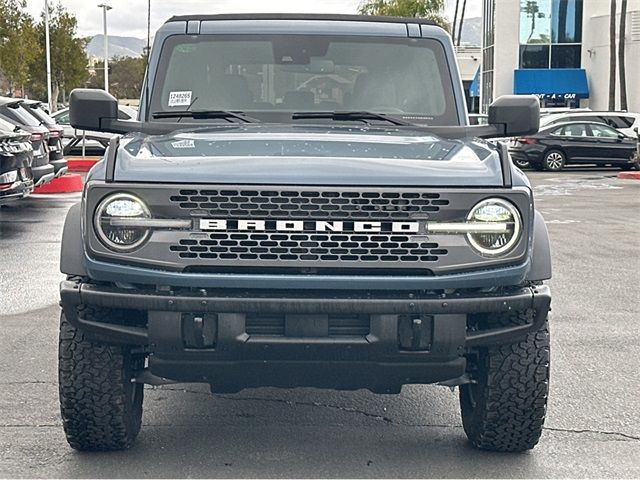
(316, 204)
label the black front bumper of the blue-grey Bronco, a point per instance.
(240, 359)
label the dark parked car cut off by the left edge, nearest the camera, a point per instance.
(16, 155)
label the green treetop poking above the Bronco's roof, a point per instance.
(430, 9)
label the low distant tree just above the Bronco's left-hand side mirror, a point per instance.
(126, 75)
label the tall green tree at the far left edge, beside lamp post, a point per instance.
(19, 44)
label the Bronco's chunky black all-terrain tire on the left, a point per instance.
(101, 407)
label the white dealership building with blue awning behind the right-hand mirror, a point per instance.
(557, 50)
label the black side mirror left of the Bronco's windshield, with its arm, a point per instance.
(96, 110)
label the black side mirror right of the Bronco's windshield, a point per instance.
(515, 115)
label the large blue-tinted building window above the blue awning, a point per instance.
(550, 33)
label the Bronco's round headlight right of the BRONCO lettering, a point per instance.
(505, 220)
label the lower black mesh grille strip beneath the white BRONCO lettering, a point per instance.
(309, 247)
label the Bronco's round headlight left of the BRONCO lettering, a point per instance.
(115, 222)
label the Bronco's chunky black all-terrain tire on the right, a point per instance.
(504, 409)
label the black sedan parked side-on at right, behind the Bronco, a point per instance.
(555, 146)
